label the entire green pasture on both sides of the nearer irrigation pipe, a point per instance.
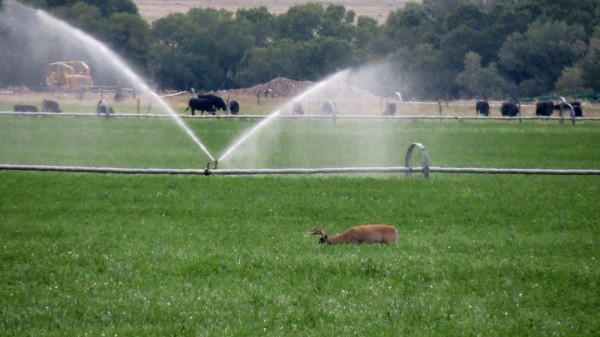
(130, 255)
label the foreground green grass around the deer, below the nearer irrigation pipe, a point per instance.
(203, 256)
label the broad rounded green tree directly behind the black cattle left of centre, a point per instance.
(210, 51)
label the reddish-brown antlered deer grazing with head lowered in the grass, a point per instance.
(359, 234)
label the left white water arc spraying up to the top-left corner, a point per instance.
(98, 49)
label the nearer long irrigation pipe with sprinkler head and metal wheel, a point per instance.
(407, 169)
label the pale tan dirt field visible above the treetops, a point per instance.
(155, 9)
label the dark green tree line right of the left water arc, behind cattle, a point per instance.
(433, 49)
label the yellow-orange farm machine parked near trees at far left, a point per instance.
(69, 75)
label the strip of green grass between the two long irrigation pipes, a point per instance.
(288, 143)
